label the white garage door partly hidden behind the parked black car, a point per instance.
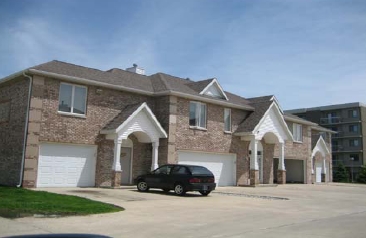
(221, 165)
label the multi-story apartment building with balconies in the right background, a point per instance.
(349, 121)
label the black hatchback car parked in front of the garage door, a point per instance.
(178, 177)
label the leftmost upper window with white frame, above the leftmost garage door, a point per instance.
(72, 99)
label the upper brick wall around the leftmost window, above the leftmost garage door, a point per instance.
(101, 108)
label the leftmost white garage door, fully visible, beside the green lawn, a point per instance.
(62, 165)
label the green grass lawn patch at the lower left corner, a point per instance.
(28, 202)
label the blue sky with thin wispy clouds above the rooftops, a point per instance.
(305, 52)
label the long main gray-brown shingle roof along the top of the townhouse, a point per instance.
(155, 83)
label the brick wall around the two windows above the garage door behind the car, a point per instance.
(213, 139)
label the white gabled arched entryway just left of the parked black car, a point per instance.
(142, 125)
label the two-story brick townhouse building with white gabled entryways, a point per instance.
(64, 125)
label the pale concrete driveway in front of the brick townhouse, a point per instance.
(285, 211)
